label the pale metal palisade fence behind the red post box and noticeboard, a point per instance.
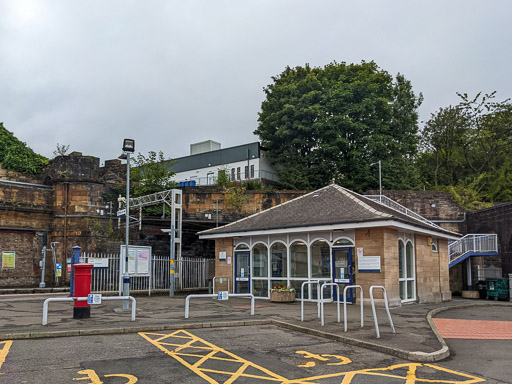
(190, 274)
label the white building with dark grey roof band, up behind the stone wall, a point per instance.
(241, 163)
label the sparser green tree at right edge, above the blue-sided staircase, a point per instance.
(467, 149)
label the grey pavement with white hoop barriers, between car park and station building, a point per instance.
(417, 337)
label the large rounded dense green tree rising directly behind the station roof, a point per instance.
(320, 124)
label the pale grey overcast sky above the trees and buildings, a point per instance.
(170, 73)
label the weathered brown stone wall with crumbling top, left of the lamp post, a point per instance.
(70, 208)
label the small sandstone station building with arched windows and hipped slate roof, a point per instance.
(335, 235)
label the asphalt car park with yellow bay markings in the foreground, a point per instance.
(250, 354)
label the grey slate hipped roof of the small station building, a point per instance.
(330, 205)
